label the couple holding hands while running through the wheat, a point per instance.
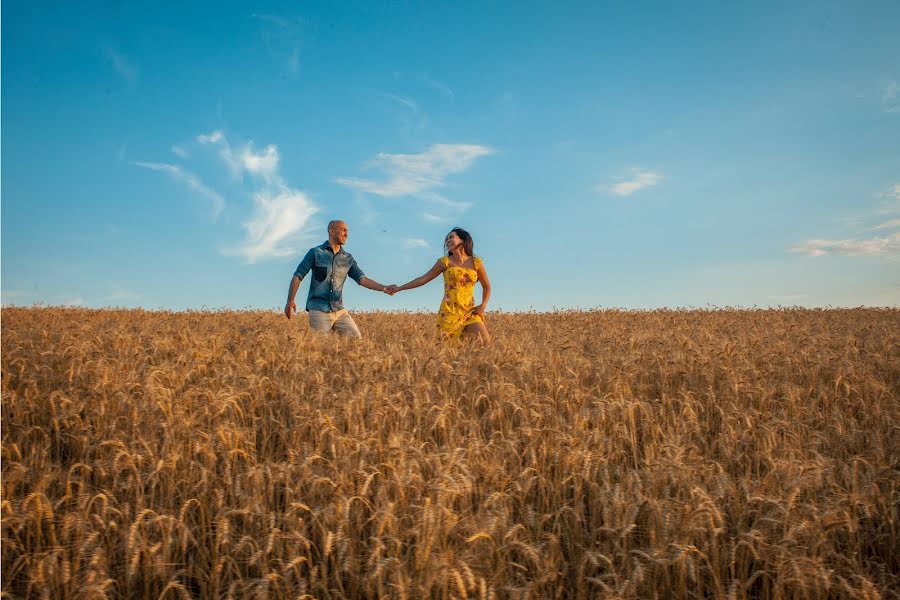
(458, 315)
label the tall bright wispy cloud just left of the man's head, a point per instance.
(281, 213)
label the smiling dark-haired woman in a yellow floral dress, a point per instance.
(458, 315)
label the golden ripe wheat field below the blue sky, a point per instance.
(604, 454)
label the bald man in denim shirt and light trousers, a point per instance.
(330, 265)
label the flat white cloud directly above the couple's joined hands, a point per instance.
(413, 174)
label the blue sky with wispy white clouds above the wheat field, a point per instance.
(647, 154)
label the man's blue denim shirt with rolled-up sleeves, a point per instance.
(330, 271)
